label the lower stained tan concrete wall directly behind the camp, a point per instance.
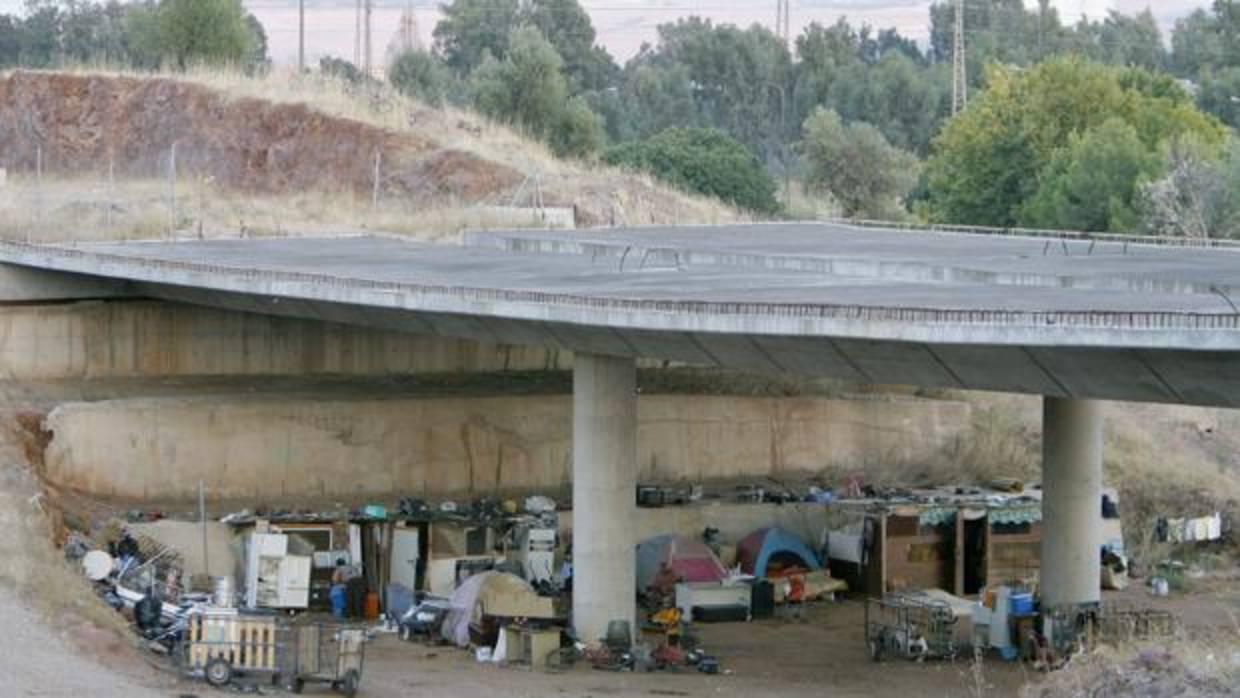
(343, 451)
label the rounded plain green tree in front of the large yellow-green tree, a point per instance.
(1094, 184)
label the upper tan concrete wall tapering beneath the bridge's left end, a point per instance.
(153, 339)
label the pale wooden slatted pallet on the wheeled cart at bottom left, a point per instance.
(247, 644)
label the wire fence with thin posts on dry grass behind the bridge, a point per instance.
(170, 198)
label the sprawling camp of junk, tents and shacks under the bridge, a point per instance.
(942, 568)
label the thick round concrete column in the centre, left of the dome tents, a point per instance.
(604, 493)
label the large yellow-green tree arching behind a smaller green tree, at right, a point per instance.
(988, 162)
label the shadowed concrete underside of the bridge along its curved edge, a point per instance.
(1130, 375)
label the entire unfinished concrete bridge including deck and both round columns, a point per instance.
(1074, 319)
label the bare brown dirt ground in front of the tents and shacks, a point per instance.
(772, 658)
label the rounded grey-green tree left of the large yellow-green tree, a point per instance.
(856, 166)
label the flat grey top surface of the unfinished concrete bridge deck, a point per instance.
(767, 265)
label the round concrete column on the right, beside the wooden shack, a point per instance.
(1072, 501)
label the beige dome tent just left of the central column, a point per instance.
(492, 594)
